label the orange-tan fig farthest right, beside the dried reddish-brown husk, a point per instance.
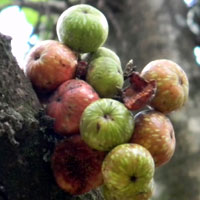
(172, 84)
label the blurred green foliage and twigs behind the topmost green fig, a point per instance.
(43, 14)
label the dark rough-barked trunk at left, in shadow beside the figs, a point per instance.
(25, 138)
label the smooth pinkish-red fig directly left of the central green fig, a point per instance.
(68, 104)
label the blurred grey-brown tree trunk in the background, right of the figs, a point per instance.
(157, 29)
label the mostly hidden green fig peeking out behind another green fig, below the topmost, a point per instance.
(104, 52)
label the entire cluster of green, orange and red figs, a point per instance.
(80, 84)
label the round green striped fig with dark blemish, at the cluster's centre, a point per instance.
(106, 123)
